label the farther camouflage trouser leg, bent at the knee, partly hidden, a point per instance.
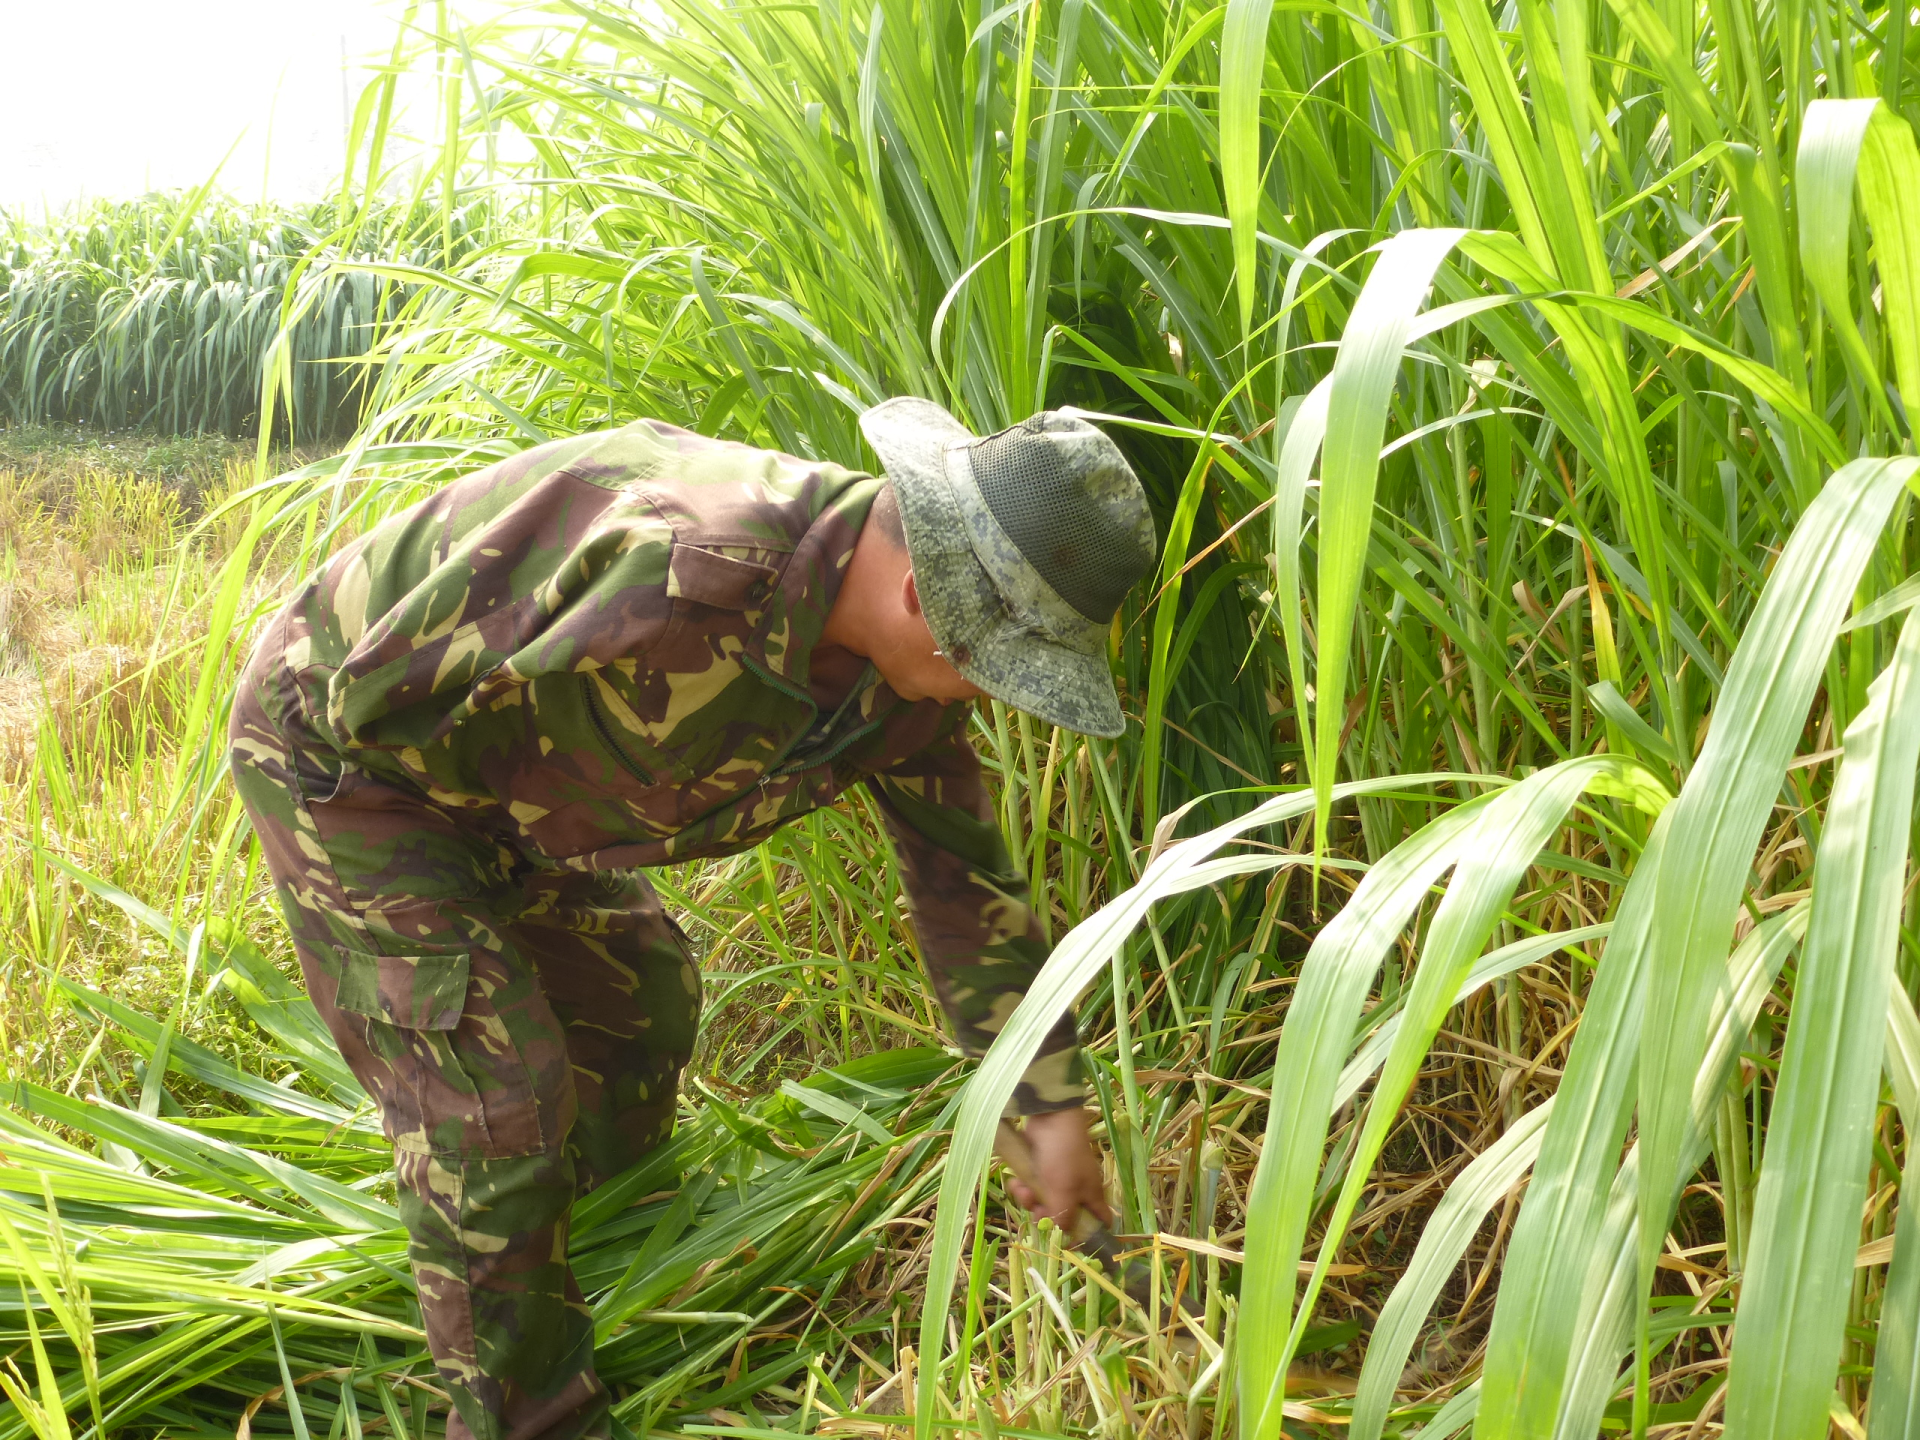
(627, 992)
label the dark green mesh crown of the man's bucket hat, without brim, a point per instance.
(1086, 544)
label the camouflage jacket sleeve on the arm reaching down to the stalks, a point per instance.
(971, 911)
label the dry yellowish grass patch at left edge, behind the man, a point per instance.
(103, 615)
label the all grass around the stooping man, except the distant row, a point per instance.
(1497, 928)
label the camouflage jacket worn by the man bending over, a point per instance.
(600, 650)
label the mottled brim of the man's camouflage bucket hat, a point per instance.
(967, 615)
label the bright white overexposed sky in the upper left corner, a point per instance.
(120, 97)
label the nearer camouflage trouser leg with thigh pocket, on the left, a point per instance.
(444, 1020)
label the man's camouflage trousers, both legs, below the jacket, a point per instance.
(523, 1036)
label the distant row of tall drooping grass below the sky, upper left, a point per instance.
(160, 314)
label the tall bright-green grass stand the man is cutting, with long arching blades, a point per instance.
(1497, 926)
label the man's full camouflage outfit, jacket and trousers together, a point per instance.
(460, 746)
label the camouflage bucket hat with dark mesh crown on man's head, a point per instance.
(1024, 544)
